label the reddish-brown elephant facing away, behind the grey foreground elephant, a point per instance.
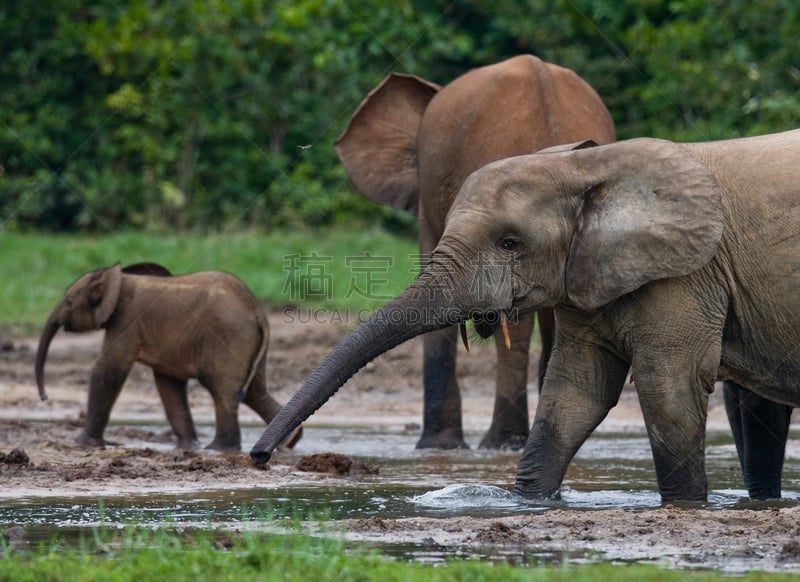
(411, 144)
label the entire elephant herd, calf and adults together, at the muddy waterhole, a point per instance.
(676, 263)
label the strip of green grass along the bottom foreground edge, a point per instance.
(218, 555)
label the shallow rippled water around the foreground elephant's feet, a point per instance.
(611, 471)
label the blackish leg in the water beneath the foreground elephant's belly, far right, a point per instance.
(760, 428)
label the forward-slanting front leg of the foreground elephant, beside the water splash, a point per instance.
(584, 381)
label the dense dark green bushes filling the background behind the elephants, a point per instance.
(198, 114)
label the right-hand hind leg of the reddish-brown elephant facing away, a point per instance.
(510, 421)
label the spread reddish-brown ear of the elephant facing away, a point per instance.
(379, 147)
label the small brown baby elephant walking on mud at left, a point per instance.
(200, 325)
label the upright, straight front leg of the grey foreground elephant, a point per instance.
(676, 339)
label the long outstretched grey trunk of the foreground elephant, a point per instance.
(404, 318)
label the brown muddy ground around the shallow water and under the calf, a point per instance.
(39, 459)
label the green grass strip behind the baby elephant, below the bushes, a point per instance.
(36, 268)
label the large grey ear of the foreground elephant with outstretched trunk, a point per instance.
(649, 211)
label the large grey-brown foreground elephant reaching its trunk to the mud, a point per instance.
(679, 261)
